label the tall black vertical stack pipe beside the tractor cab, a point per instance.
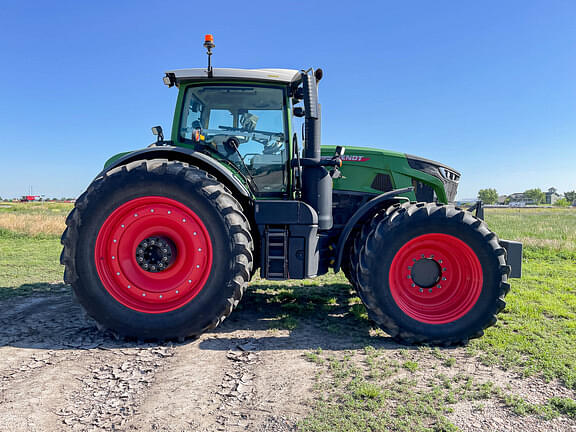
(316, 181)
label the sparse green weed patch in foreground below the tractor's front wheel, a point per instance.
(355, 399)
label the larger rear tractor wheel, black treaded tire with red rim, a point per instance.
(157, 249)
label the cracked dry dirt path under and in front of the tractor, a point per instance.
(57, 373)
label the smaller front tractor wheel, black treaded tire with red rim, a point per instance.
(432, 273)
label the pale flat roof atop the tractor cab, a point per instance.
(271, 75)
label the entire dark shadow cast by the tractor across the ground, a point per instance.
(282, 317)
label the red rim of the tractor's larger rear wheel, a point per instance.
(127, 281)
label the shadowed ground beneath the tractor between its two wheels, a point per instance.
(298, 317)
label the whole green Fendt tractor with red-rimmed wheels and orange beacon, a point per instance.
(164, 241)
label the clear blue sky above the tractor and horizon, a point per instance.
(488, 87)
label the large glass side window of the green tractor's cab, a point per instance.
(244, 124)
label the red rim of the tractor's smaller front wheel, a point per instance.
(458, 285)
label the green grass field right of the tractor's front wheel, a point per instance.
(537, 331)
